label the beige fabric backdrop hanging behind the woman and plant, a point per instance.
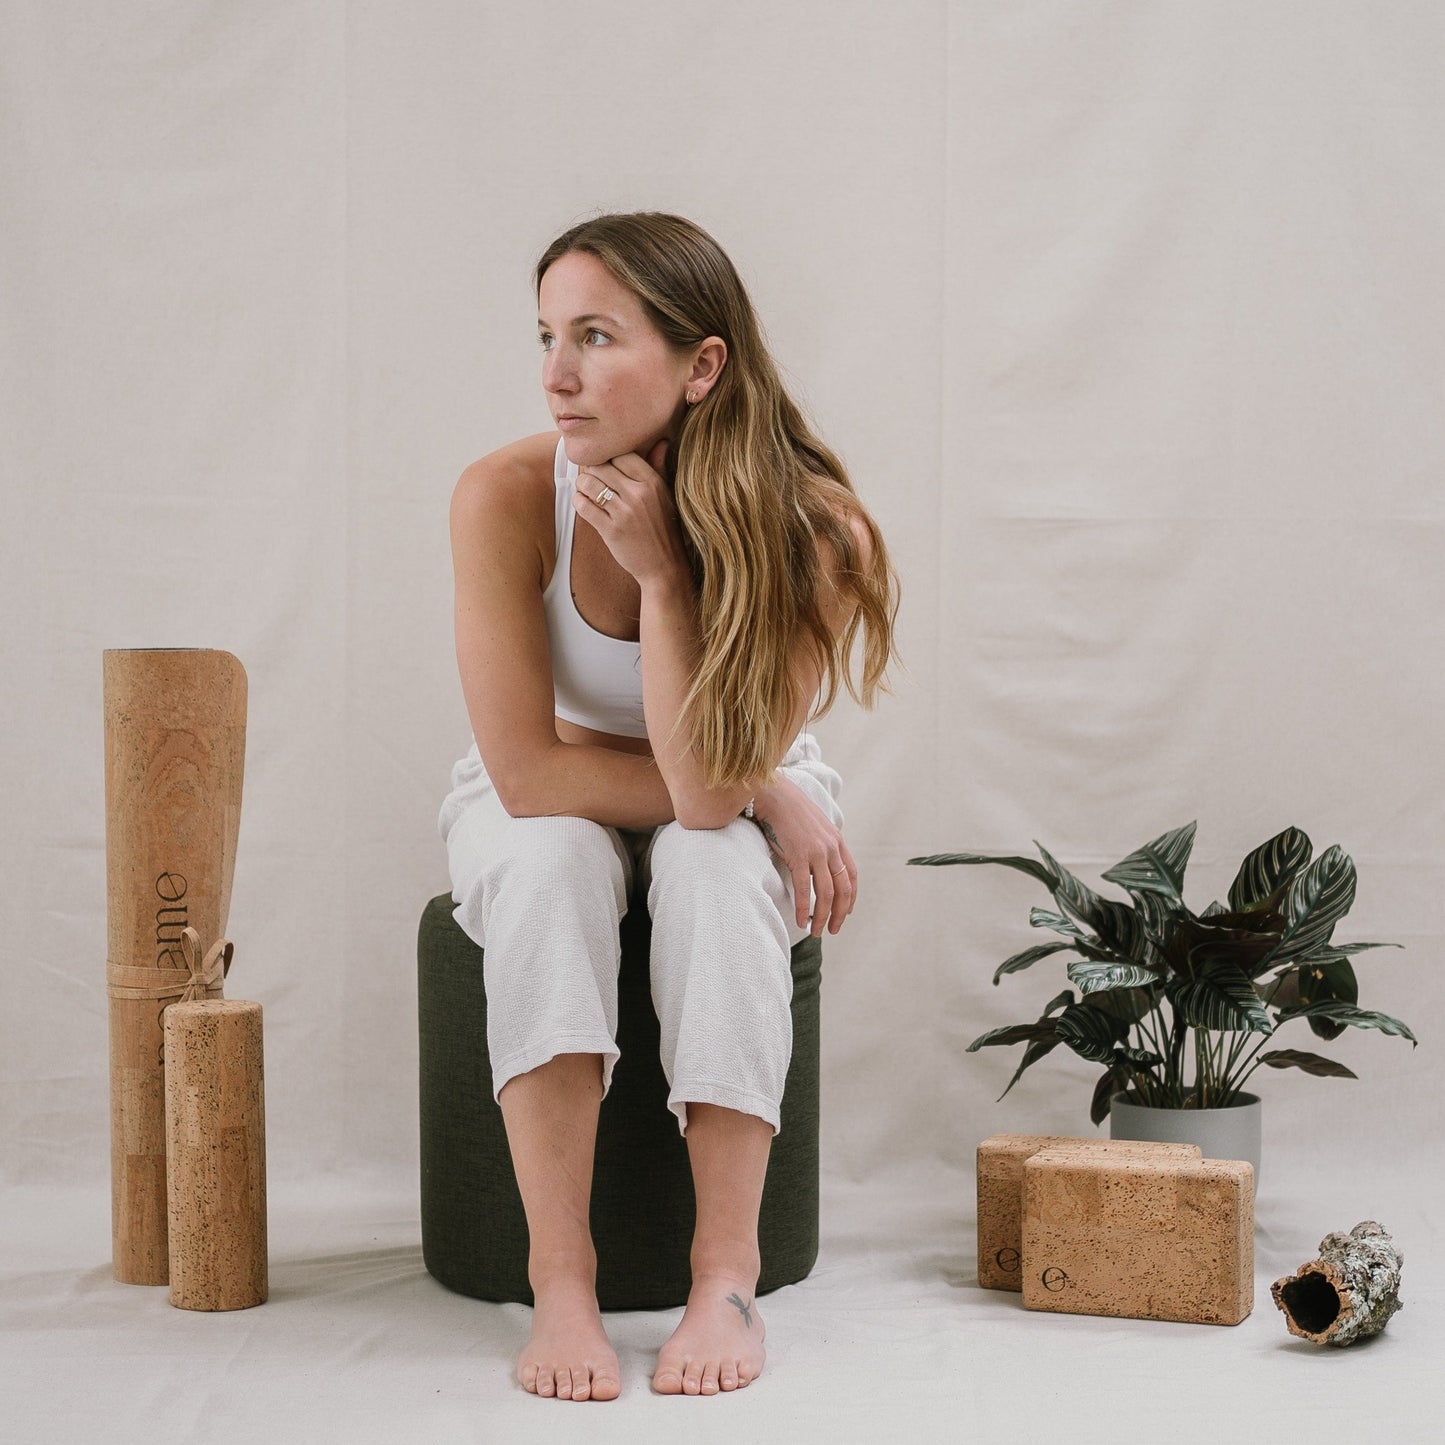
(1126, 317)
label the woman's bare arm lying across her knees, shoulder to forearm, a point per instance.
(499, 515)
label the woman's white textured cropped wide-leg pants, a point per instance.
(544, 898)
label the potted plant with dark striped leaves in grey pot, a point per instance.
(1176, 1005)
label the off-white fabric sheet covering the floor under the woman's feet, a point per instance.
(889, 1339)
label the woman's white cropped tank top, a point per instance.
(596, 680)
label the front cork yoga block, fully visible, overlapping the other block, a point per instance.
(1147, 1239)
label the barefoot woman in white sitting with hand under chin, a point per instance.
(648, 609)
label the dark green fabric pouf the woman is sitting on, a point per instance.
(475, 1233)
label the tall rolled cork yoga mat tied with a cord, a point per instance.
(176, 751)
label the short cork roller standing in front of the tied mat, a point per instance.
(216, 1154)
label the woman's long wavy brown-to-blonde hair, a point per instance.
(756, 492)
